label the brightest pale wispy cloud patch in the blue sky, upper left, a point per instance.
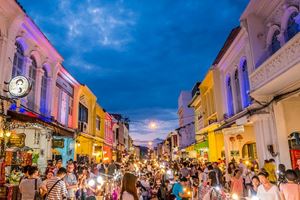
(108, 26)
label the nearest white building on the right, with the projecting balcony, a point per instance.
(274, 38)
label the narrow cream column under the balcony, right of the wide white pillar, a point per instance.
(282, 136)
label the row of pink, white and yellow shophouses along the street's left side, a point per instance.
(60, 118)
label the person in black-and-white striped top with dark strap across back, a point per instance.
(56, 187)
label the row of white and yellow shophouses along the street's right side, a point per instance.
(247, 105)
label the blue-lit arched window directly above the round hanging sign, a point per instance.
(18, 61)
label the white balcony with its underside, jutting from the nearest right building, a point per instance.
(275, 66)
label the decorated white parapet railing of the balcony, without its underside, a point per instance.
(285, 58)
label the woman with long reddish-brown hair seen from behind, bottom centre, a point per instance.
(129, 190)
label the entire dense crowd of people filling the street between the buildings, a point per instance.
(163, 180)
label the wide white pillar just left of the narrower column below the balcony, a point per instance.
(265, 135)
